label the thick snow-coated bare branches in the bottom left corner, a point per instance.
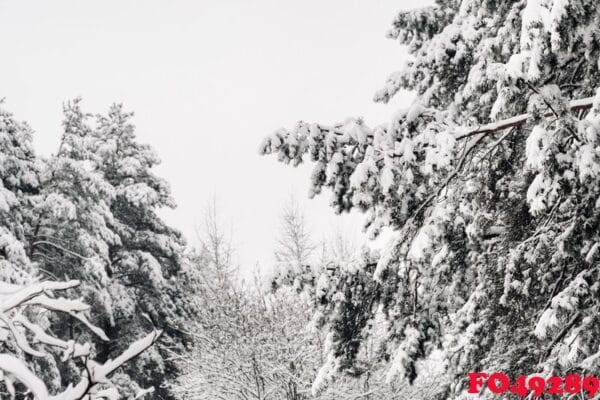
(20, 336)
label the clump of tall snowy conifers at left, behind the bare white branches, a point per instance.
(89, 212)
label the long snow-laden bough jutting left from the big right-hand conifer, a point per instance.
(409, 162)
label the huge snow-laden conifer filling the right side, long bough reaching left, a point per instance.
(490, 182)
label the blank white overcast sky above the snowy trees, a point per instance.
(207, 81)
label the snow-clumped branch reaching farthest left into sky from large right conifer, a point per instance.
(368, 152)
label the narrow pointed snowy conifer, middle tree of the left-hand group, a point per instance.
(68, 235)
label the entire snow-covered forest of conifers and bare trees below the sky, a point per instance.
(486, 190)
